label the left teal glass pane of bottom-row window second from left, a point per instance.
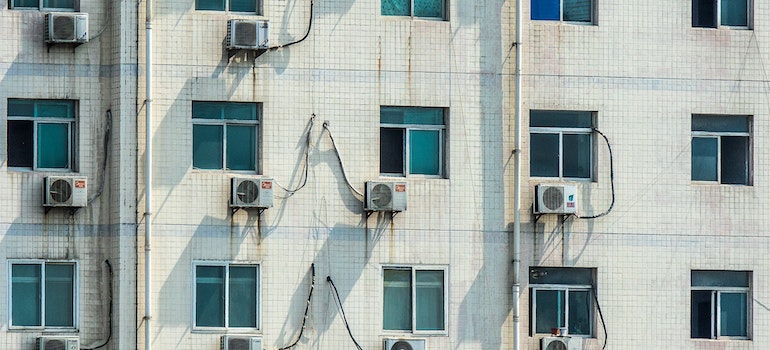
(210, 296)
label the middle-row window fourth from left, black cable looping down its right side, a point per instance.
(561, 144)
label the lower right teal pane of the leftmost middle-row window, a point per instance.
(52, 145)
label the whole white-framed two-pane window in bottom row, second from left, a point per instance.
(226, 296)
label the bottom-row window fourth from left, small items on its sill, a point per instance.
(562, 297)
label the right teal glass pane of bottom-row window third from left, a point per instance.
(429, 300)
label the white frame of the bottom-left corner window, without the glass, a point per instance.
(75, 294)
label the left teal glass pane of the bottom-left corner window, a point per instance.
(26, 292)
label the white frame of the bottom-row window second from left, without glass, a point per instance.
(226, 266)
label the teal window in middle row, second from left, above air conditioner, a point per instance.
(225, 135)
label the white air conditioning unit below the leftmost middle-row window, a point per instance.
(65, 191)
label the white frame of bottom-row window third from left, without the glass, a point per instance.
(413, 295)
